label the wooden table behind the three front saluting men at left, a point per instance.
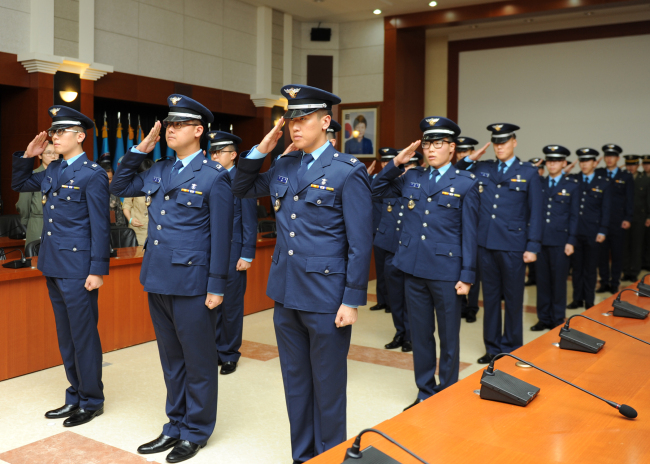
(28, 340)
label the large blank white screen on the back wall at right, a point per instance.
(575, 94)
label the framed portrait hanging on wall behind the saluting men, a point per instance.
(359, 128)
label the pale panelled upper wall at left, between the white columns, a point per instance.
(203, 42)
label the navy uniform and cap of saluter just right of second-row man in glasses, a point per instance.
(510, 221)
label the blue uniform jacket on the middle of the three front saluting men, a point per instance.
(190, 224)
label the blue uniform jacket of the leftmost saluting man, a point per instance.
(75, 241)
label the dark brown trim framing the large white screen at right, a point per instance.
(535, 38)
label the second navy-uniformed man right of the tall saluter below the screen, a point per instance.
(592, 228)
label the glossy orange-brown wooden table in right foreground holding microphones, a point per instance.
(561, 425)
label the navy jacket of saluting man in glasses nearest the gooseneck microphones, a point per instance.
(439, 238)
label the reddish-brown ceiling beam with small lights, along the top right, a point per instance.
(496, 10)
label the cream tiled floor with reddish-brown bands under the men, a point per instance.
(252, 424)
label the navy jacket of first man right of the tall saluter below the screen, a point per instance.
(561, 212)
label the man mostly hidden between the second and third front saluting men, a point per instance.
(230, 313)
